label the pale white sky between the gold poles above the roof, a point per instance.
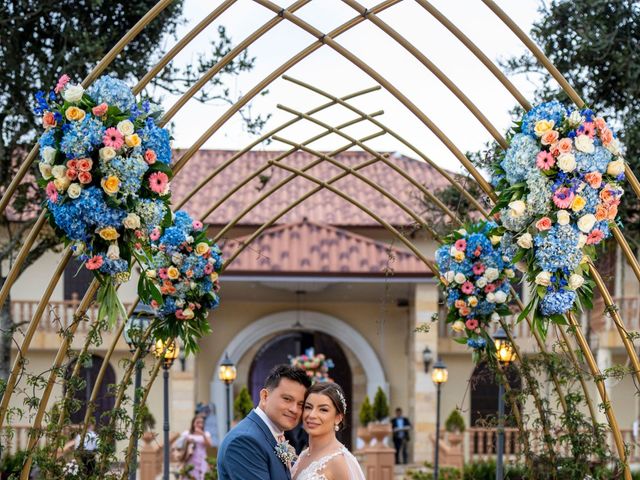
(331, 72)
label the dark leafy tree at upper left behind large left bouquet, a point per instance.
(40, 41)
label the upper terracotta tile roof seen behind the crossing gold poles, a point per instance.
(324, 207)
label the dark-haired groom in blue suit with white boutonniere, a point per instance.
(249, 452)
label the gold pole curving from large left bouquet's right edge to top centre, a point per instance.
(271, 77)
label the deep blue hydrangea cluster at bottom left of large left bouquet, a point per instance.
(79, 218)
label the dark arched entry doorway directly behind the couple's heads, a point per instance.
(279, 349)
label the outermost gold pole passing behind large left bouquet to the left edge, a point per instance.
(98, 69)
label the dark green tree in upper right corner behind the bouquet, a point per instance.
(596, 45)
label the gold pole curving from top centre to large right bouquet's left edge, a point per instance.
(439, 74)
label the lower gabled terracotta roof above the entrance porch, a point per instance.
(305, 248)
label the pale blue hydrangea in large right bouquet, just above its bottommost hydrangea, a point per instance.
(558, 249)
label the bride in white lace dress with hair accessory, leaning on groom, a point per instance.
(326, 458)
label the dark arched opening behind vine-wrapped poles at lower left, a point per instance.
(104, 402)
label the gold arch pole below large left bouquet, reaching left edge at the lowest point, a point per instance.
(18, 363)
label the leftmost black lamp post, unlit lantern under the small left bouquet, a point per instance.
(133, 333)
